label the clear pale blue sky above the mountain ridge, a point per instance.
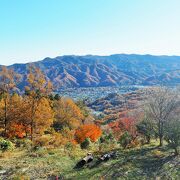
(33, 29)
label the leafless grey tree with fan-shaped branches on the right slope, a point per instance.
(161, 104)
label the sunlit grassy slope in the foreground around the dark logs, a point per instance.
(147, 162)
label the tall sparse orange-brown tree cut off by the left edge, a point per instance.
(8, 82)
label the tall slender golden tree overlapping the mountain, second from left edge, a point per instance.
(38, 87)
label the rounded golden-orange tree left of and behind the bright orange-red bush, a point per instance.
(67, 114)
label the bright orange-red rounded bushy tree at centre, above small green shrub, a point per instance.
(87, 131)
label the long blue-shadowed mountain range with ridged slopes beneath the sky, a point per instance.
(113, 70)
